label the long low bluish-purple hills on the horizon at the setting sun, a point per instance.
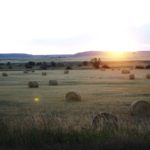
(87, 55)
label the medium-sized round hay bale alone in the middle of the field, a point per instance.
(72, 96)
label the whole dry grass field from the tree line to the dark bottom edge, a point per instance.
(42, 116)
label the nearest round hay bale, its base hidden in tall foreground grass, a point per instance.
(105, 121)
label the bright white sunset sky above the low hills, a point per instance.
(71, 26)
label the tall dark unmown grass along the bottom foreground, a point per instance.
(42, 133)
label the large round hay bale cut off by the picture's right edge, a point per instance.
(140, 108)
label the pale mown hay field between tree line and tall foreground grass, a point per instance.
(108, 90)
